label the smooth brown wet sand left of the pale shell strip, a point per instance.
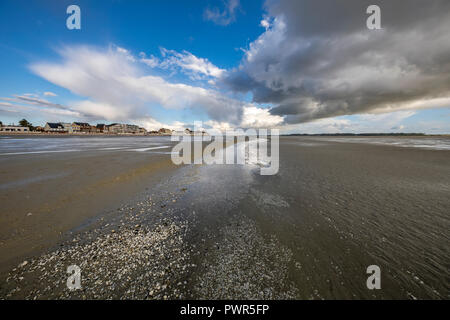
(44, 196)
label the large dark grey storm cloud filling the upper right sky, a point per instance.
(318, 59)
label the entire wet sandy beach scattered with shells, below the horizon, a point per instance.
(140, 227)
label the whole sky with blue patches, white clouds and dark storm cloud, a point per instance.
(298, 65)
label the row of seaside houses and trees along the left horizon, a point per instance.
(84, 128)
